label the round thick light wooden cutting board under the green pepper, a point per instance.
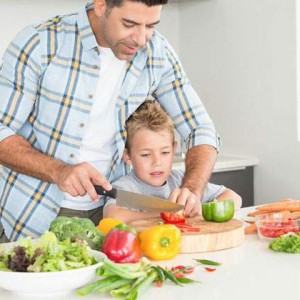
(212, 236)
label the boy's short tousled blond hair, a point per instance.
(149, 115)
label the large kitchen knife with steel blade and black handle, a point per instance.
(139, 201)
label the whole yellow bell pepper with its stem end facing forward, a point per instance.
(160, 242)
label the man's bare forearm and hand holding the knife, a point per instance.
(17, 154)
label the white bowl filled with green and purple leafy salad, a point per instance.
(47, 267)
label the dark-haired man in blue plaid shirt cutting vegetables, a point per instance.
(67, 87)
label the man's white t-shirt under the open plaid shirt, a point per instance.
(99, 136)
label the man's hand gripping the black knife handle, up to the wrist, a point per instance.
(79, 180)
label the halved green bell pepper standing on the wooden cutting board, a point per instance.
(218, 211)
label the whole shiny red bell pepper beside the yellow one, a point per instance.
(122, 246)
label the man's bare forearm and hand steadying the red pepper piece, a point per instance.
(199, 164)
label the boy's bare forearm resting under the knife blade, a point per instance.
(126, 215)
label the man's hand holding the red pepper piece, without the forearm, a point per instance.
(185, 197)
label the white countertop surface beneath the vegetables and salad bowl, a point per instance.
(250, 271)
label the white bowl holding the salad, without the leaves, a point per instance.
(50, 283)
